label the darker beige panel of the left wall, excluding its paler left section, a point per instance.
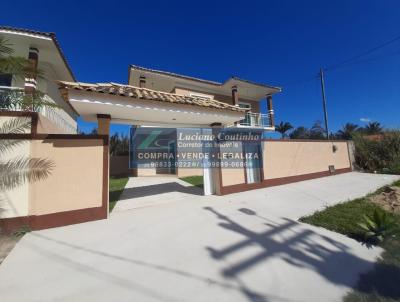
(76, 180)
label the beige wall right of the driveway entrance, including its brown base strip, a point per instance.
(286, 158)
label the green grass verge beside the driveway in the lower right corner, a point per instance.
(383, 282)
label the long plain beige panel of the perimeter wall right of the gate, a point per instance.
(291, 158)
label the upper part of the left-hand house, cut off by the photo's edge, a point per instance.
(44, 51)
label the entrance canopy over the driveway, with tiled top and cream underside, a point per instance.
(124, 104)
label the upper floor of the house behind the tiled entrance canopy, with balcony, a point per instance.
(233, 91)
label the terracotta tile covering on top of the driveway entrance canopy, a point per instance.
(145, 94)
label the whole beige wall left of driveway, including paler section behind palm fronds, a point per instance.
(75, 180)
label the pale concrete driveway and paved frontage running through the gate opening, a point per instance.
(241, 247)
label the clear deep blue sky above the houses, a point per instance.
(281, 43)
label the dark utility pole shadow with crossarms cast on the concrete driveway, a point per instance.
(305, 249)
